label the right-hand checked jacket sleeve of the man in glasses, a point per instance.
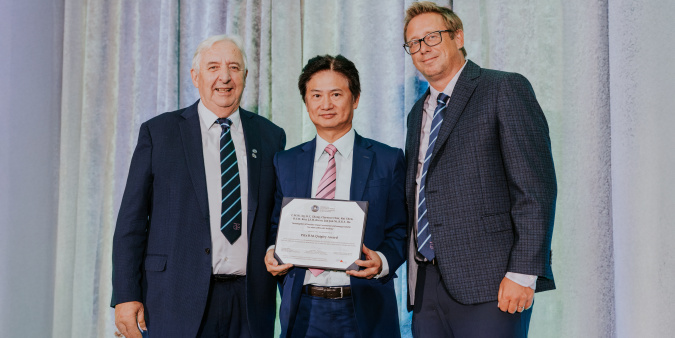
(528, 162)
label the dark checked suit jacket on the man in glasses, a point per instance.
(491, 186)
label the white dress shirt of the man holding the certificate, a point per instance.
(343, 163)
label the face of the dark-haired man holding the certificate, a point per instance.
(330, 103)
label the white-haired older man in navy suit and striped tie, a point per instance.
(191, 235)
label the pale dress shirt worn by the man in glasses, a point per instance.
(429, 106)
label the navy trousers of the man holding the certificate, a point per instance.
(322, 317)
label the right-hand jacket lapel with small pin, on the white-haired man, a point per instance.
(253, 143)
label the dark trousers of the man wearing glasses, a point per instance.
(437, 314)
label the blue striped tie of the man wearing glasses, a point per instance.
(424, 243)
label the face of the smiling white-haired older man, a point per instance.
(221, 78)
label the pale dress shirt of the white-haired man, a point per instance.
(226, 258)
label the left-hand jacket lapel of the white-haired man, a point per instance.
(192, 140)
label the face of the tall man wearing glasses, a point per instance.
(439, 63)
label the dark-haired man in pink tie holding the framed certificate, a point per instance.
(340, 164)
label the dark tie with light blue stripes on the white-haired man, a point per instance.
(230, 218)
